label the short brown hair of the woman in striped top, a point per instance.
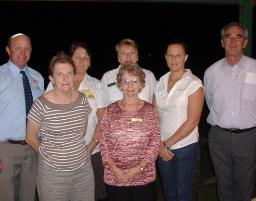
(61, 57)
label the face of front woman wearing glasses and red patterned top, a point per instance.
(130, 85)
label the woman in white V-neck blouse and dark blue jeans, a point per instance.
(179, 96)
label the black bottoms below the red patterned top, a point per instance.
(132, 193)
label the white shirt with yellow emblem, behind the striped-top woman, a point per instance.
(93, 91)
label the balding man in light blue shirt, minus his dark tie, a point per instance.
(18, 161)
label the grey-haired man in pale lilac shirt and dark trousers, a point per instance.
(230, 89)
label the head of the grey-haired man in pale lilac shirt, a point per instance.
(234, 41)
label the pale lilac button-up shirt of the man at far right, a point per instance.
(231, 93)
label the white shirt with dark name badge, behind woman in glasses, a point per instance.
(113, 93)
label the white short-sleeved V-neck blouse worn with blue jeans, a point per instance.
(173, 106)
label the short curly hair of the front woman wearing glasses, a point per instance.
(131, 69)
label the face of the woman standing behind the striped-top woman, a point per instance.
(82, 60)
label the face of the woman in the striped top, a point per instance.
(63, 77)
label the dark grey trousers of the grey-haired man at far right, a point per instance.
(234, 162)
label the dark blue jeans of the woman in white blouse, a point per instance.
(177, 175)
